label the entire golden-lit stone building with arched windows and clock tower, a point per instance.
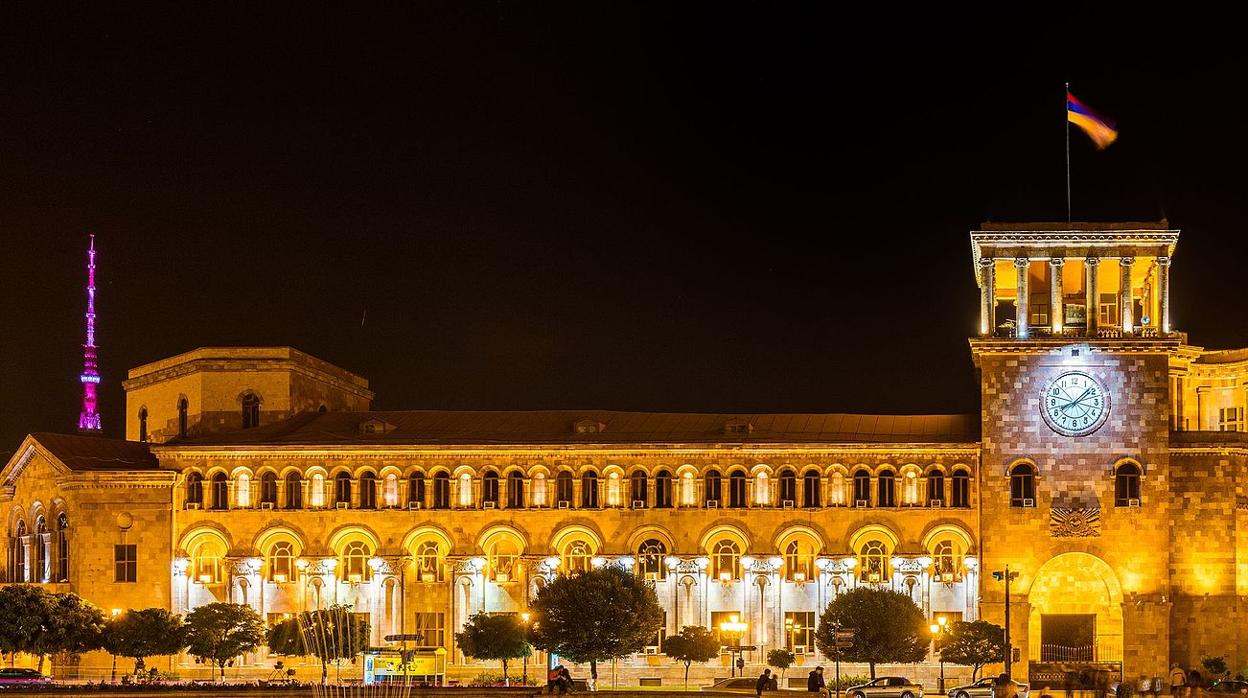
(1104, 469)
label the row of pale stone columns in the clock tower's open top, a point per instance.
(1023, 320)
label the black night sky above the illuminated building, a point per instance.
(671, 207)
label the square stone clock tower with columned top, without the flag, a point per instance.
(1074, 356)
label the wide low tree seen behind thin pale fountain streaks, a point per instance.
(330, 635)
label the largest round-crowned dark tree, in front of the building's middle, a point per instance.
(596, 616)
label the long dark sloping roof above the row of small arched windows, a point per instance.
(557, 426)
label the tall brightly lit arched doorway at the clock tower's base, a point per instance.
(1076, 614)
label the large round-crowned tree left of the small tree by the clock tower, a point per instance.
(888, 627)
